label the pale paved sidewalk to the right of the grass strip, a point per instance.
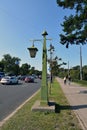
(77, 98)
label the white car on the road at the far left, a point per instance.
(9, 80)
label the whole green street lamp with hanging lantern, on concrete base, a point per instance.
(44, 87)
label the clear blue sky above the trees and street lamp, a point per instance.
(22, 21)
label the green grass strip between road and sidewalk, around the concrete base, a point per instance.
(62, 119)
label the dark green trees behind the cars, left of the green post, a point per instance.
(10, 65)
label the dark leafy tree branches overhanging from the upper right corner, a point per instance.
(74, 26)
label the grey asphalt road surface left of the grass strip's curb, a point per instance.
(11, 96)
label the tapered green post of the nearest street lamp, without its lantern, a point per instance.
(44, 87)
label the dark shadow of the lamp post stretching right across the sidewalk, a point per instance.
(59, 108)
